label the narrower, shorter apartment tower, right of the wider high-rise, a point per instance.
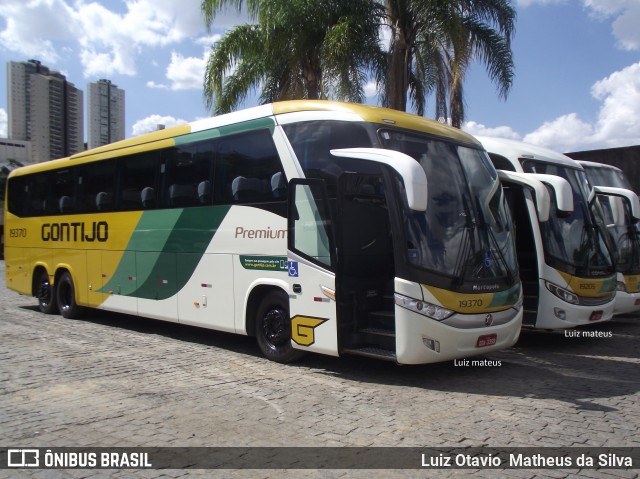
(106, 114)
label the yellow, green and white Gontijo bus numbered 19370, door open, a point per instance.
(313, 226)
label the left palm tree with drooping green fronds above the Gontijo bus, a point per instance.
(297, 49)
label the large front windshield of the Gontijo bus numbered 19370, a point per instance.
(465, 232)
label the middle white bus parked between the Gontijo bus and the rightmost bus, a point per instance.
(567, 271)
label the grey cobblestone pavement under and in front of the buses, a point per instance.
(115, 380)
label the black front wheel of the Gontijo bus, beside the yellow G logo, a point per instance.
(273, 328)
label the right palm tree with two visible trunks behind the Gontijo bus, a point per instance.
(433, 43)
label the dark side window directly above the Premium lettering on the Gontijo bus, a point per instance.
(248, 170)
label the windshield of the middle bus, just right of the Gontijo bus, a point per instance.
(574, 243)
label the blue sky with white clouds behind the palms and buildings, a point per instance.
(577, 83)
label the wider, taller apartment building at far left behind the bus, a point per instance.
(45, 109)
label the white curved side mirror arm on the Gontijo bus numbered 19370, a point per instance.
(413, 176)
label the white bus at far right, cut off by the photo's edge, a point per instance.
(624, 229)
